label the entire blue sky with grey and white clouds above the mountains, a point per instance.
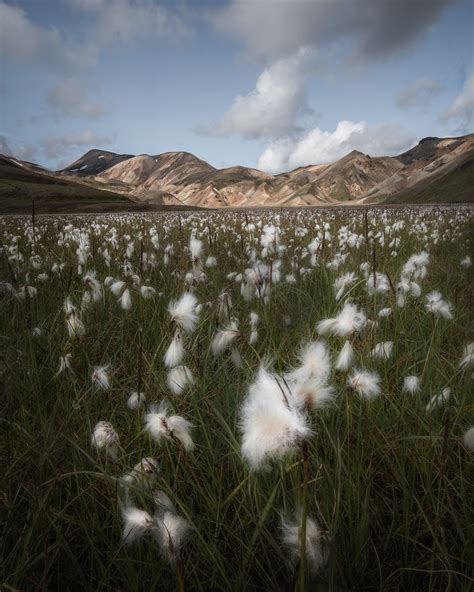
(270, 84)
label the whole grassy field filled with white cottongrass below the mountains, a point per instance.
(292, 455)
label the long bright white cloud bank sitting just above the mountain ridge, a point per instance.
(319, 147)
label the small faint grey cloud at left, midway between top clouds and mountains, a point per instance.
(69, 99)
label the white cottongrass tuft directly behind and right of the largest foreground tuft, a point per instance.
(308, 382)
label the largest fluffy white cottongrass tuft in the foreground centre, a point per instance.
(271, 426)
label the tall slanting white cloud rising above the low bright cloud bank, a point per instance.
(270, 110)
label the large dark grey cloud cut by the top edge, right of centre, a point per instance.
(374, 28)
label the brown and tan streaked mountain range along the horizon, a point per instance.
(435, 170)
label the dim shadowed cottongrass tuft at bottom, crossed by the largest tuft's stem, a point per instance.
(316, 555)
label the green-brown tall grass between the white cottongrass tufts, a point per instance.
(389, 483)
